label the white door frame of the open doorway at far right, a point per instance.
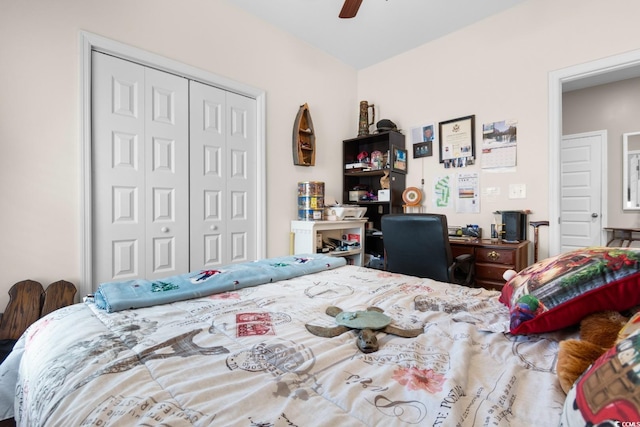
(589, 70)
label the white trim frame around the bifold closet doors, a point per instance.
(88, 42)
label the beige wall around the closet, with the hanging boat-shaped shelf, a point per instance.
(40, 111)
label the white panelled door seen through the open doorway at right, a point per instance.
(581, 190)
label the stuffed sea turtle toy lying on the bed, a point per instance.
(367, 322)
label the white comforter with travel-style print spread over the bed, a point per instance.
(243, 357)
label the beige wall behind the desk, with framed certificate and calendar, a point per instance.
(498, 70)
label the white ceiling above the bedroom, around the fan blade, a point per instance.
(382, 28)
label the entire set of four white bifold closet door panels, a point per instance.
(173, 169)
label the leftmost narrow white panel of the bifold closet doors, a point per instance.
(118, 170)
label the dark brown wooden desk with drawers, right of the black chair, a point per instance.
(492, 259)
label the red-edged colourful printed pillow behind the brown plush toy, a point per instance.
(561, 290)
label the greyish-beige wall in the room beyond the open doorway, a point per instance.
(616, 108)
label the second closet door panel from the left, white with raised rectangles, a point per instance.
(167, 177)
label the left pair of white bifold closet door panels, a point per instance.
(140, 171)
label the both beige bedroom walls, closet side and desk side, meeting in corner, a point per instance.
(496, 69)
